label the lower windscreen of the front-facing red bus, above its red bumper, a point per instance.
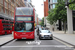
(24, 27)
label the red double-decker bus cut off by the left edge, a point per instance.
(6, 26)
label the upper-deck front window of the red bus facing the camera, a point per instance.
(24, 11)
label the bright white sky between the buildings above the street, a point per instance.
(39, 7)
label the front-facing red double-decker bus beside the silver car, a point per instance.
(24, 23)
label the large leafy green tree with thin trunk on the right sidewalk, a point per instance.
(58, 13)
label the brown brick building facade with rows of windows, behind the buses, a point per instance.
(7, 8)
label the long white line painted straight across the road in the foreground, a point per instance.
(57, 46)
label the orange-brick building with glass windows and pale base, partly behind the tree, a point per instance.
(49, 4)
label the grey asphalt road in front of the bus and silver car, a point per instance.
(36, 45)
